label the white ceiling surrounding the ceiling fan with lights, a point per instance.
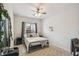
(25, 9)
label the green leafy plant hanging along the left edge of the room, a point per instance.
(3, 16)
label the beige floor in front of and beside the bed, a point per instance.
(48, 51)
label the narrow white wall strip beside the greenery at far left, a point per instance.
(10, 12)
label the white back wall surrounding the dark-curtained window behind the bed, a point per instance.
(18, 24)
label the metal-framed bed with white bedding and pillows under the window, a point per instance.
(32, 41)
